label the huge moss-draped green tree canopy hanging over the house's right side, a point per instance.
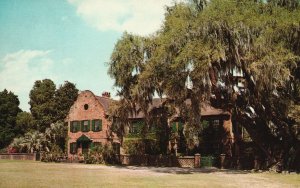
(200, 47)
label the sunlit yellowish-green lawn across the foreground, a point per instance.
(38, 174)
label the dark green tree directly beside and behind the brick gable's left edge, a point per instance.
(64, 98)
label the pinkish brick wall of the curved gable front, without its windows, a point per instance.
(78, 113)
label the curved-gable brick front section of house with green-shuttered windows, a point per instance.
(87, 123)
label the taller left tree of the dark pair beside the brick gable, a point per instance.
(42, 104)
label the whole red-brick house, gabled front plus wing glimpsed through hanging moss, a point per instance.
(88, 124)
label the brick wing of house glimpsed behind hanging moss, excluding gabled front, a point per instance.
(217, 131)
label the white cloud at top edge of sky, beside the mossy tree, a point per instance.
(135, 16)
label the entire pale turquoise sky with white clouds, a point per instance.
(67, 40)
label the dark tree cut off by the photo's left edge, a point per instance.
(9, 108)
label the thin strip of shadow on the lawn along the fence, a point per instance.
(177, 170)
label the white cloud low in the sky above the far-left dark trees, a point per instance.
(19, 71)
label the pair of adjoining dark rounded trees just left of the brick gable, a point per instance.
(48, 104)
